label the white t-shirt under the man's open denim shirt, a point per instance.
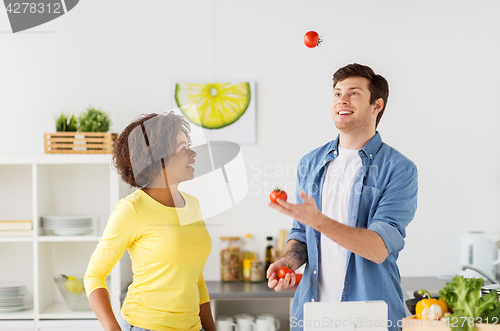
(335, 202)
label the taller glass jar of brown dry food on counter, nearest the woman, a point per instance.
(230, 259)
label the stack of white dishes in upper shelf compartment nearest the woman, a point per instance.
(67, 225)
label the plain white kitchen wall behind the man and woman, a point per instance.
(441, 59)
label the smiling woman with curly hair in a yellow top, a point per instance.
(168, 291)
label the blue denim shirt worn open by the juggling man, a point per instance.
(383, 199)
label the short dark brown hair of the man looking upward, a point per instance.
(378, 86)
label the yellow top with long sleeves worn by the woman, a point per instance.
(167, 261)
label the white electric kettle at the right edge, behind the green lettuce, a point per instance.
(479, 252)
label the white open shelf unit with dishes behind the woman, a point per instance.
(32, 186)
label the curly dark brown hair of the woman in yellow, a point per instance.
(144, 143)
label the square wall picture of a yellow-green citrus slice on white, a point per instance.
(225, 111)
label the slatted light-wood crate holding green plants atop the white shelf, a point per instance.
(79, 142)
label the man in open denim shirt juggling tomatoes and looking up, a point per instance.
(355, 197)
